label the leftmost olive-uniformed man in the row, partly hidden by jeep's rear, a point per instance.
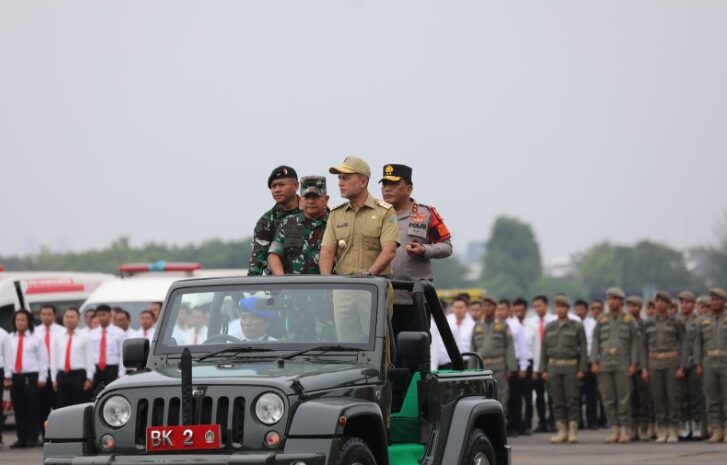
(492, 339)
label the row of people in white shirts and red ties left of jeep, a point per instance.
(51, 365)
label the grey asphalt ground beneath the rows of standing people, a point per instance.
(534, 449)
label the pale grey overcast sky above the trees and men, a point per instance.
(161, 121)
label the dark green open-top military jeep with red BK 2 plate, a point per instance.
(295, 370)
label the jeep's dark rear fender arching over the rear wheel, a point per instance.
(471, 413)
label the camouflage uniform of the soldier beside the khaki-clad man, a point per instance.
(298, 243)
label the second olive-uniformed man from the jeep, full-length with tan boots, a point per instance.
(563, 362)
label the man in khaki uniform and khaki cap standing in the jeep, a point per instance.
(362, 236)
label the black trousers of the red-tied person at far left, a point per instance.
(24, 395)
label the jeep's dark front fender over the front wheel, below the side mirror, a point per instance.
(323, 418)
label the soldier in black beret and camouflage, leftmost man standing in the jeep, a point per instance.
(283, 184)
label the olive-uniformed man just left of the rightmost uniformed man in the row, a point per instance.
(690, 395)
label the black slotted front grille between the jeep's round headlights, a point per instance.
(167, 412)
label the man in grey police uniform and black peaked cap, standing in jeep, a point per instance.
(422, 235)
